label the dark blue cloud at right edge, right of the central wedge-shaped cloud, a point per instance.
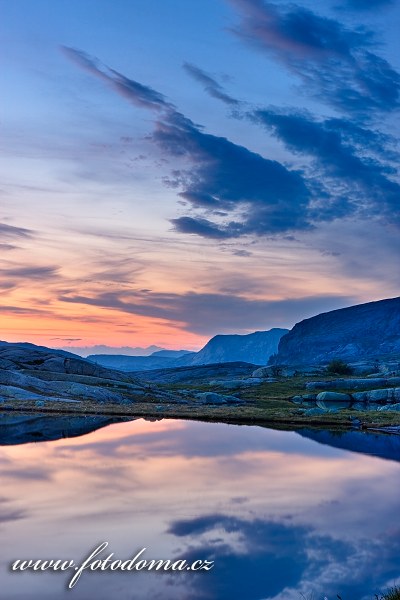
(354, 162)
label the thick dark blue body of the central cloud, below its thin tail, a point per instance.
(268, 197)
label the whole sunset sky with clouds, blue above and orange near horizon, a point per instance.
(174, 170)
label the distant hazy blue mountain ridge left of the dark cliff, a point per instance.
(253, 348)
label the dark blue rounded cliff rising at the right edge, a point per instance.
(363, 331)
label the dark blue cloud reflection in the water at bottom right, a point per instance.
(260, 558)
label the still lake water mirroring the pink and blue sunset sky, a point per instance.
(279, 513)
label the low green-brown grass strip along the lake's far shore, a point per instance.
(265, 404)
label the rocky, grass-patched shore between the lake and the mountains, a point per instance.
(39, 380)
